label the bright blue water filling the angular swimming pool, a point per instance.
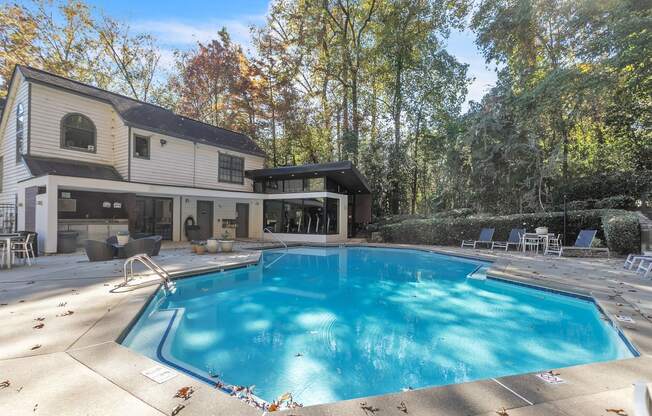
(329, 324)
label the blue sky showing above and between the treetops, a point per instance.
(179, 25)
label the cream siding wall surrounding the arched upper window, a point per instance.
(50, 105)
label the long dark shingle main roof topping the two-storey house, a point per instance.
(152, 117)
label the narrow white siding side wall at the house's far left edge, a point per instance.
(12, 173)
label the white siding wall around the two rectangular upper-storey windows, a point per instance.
(181, 162)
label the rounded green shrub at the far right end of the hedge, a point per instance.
(622, 231)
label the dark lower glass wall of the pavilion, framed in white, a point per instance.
(301, 216)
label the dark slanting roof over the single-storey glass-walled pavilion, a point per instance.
(344, 173)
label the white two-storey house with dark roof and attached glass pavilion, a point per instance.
(79, 158)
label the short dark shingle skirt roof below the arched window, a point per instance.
(40, 166)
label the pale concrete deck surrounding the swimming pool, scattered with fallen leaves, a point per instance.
(73, 366)
